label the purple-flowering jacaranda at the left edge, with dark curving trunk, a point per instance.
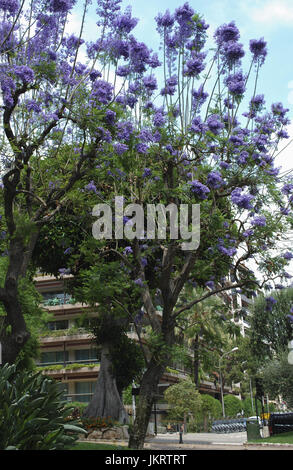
(56, 114)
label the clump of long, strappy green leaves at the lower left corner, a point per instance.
(33, 415)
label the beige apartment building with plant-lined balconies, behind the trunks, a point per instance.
(69, 353)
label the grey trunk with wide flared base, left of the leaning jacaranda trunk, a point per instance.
(106, 401)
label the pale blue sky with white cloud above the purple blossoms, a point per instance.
(268, 19)
